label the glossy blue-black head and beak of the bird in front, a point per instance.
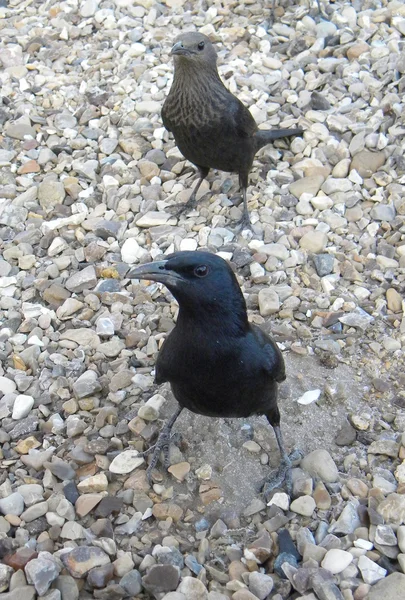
(203, 284)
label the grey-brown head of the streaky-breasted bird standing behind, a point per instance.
(194, 48)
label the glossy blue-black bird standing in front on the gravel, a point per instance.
(217, 363)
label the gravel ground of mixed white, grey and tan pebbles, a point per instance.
(88, 176)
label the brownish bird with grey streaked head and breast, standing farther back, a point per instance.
(211, 127)
